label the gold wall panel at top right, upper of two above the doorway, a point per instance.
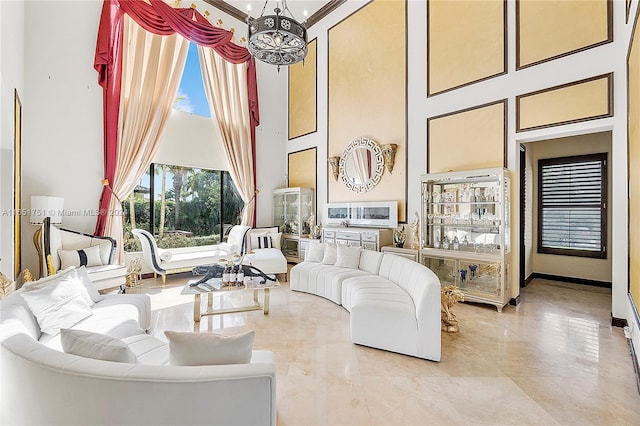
(549, 29)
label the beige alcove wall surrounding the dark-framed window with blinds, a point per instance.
(570, 266)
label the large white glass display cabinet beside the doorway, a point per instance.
(464, 232)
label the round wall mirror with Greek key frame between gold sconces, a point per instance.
(361, 165)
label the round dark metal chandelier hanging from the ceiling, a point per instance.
(277, 39)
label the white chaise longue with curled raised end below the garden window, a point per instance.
(184, 259)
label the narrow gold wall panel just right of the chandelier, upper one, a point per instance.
(303, 94)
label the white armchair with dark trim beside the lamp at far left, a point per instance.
(106, 273)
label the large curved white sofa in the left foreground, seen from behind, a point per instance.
(43, 385)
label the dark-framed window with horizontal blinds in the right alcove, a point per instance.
(572, 203)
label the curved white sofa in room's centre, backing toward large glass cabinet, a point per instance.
(394, 302)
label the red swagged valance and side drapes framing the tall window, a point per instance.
(159, 18)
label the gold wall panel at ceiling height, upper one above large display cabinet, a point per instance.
(465, 42)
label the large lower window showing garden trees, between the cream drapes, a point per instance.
(182, 207)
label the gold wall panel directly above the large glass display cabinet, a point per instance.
(478, 135)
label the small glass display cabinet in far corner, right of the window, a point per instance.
(292, 209)
